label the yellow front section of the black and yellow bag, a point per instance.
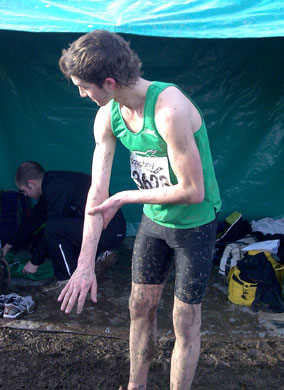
(240, 292)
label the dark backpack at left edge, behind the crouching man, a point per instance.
(14, 208)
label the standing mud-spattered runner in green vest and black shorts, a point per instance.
(172, 165)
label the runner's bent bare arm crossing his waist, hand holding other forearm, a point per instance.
(176, 122)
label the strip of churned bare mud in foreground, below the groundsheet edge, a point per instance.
(40, 360)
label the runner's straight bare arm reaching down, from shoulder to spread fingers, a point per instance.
(84, 278)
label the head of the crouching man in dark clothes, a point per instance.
(28, 178)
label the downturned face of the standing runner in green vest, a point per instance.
(101, 96)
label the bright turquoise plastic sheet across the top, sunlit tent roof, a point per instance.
(182, 18)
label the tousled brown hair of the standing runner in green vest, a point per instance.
(100, 54)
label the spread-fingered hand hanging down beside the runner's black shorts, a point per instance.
(77, 288)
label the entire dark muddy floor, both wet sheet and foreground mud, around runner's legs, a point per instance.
(238, 351)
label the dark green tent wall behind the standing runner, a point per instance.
(238, 84)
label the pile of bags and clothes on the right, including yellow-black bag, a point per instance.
(252, 261)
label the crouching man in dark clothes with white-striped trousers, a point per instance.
(61, 205)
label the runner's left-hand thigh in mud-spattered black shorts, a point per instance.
(152, 257)
